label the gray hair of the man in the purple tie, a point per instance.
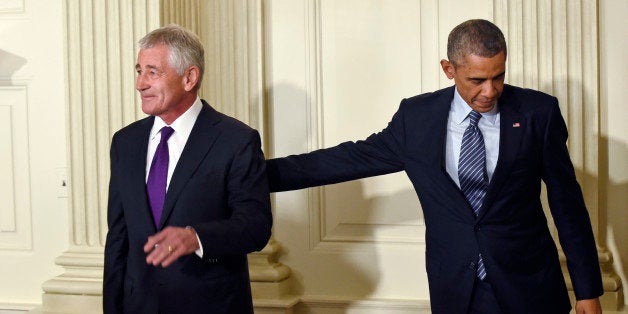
(185, 48)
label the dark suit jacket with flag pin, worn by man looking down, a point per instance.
(511, 229)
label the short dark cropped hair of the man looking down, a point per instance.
(478, 37)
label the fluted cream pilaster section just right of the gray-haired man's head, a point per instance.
(232, 33)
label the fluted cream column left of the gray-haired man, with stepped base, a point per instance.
(101, 45)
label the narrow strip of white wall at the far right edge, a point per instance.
(614, 103)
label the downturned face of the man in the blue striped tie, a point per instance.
(480, 80)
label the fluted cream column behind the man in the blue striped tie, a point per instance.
(553, 47)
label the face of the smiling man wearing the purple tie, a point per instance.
(161, 88)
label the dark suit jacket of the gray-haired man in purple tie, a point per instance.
(218, 187)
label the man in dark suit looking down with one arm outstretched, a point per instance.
(476, 153)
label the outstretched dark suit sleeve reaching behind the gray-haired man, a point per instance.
(380, 153)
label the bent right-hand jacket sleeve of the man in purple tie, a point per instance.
(249, 226)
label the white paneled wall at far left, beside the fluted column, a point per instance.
(33, 216)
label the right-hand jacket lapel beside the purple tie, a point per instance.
(201, 139)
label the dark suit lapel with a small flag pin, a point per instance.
(512, 128)
